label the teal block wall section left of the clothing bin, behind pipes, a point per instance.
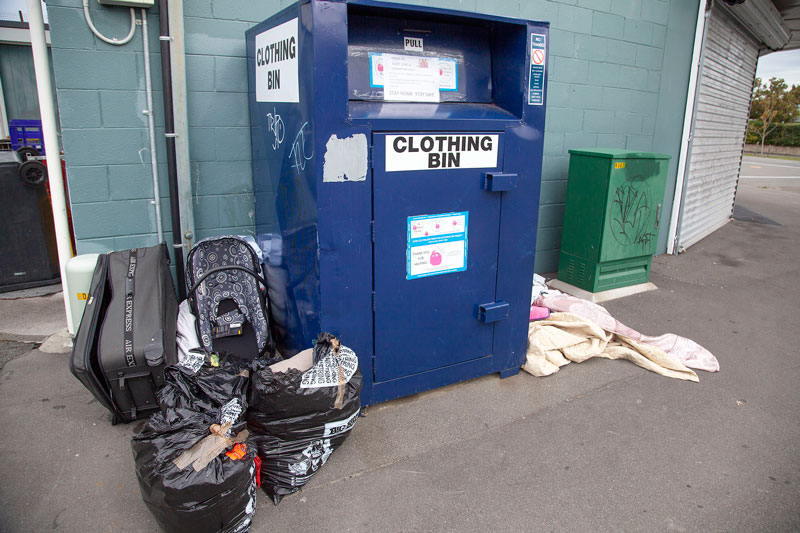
(104, 132)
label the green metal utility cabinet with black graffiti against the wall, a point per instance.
(614, 200)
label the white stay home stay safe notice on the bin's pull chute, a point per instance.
(410, 78)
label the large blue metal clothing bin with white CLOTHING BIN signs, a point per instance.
(397, 160)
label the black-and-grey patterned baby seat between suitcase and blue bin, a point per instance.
(228, 300)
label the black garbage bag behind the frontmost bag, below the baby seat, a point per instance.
(206, 382)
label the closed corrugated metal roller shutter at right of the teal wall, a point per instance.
(723, 102)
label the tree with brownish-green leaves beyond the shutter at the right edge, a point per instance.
(771, 104)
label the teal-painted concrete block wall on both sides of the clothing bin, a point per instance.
(617, 79)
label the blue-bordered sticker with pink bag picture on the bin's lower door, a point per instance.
(437, 244)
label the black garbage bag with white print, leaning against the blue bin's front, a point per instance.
(297, 419)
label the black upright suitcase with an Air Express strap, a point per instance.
(127, 335)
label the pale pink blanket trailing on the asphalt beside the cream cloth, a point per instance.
(686, 350)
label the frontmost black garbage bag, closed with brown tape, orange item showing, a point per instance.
(219, 497)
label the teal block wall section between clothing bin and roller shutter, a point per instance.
(603, 90)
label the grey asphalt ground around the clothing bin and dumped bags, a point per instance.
(598, 446)
